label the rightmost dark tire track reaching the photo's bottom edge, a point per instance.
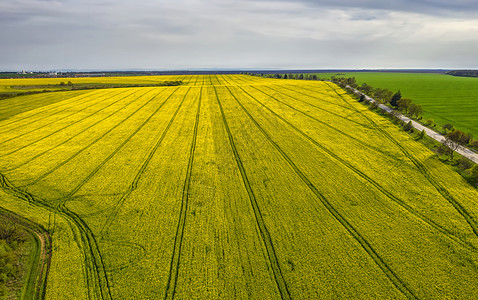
(399, 284)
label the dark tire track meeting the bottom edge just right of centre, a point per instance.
(265, 235)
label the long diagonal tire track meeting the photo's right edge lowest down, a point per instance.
(370, 180)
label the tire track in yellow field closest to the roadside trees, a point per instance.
(425, 172)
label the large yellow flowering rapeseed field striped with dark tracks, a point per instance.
(235, 187)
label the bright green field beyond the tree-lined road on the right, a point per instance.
(446, 99)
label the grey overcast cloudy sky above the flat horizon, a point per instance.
(192, 34)
